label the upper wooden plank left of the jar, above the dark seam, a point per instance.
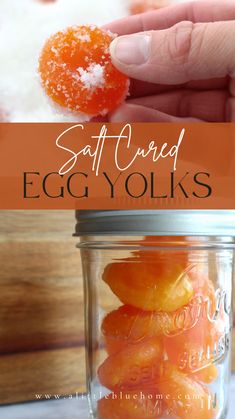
(40, 283)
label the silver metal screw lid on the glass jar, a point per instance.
(156, 222)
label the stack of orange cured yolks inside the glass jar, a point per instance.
(168, 317)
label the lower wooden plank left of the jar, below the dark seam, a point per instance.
(41, 374)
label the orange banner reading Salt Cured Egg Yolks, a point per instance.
(117, 166)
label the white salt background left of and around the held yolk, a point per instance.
(24, 27)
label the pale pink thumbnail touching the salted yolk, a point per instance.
(132, 49)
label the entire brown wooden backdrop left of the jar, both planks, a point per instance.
(41, 306)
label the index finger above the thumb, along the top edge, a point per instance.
(196, 11)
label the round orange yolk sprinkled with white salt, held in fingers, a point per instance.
(77, 73)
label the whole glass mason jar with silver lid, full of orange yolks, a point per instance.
(158, 287)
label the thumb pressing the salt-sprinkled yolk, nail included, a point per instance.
(187, 51)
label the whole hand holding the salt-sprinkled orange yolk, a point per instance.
(181, 60)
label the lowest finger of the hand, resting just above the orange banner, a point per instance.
(136, 113)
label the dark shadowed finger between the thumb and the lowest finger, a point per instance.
(210, 106)
